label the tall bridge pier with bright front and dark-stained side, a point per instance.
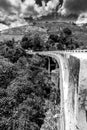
(70, 77)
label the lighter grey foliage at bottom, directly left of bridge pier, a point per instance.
(52, 120)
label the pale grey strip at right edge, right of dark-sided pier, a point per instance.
(82, 100)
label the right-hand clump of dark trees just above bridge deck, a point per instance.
(62, 41)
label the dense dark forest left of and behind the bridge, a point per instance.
(28, 98)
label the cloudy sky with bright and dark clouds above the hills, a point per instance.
(15, 9)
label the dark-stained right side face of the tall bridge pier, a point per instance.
(74, 65)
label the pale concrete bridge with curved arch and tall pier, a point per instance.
(73, 87)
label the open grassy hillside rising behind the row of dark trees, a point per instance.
(45, 27)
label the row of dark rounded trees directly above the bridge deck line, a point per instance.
(62, 41)
